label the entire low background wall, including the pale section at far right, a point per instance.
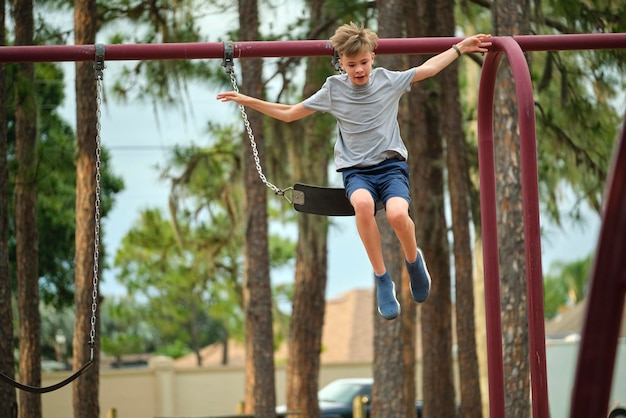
(161, 390)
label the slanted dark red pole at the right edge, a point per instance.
(605, 300)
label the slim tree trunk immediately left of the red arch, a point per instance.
(458, 187)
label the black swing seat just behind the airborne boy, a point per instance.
(326, 201)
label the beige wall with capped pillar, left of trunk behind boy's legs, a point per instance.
(160, 390)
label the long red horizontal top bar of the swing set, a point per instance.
(306, 48)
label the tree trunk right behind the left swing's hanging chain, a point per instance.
(85, 390)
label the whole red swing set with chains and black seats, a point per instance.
(598, 345)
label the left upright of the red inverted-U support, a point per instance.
(489, 226)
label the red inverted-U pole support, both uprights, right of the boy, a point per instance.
(532, 235)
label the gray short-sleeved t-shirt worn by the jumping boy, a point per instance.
(367, 116)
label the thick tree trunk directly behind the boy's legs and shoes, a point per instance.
(394, 341)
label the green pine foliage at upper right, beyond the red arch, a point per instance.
(578, 96)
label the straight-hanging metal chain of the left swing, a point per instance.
(99, 66)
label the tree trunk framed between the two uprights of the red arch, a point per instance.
(510, 17)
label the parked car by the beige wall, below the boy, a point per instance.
(336, 398)
